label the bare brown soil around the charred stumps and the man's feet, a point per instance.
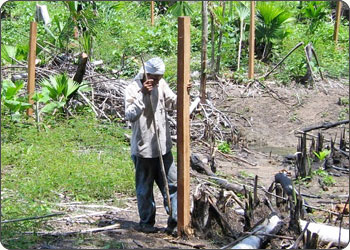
(267, 120)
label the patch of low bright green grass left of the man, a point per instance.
(80, 158)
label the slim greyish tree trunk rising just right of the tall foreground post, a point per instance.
(204, 51)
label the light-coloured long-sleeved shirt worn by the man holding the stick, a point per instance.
(138, 112)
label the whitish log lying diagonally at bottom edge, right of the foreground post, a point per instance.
(270, 225)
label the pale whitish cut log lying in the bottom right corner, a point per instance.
(327, 233)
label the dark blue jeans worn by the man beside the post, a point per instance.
(148, 171)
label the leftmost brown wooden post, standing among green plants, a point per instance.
(31, 66)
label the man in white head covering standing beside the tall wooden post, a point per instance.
(144, 145)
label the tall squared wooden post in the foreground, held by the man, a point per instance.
(183, 126)
